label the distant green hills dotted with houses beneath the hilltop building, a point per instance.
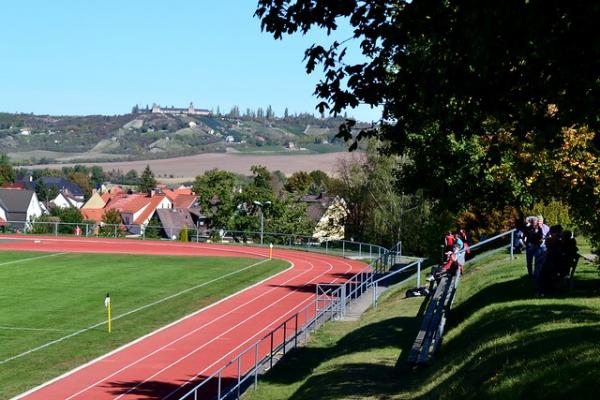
(42, 139)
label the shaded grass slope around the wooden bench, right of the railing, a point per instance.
(501, 342)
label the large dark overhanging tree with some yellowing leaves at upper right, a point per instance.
(480, 96)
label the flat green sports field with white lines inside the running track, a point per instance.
(45, 297)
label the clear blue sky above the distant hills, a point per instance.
(104, 56)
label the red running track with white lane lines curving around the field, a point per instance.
(166, 363)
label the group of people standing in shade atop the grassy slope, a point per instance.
(551, 253)
